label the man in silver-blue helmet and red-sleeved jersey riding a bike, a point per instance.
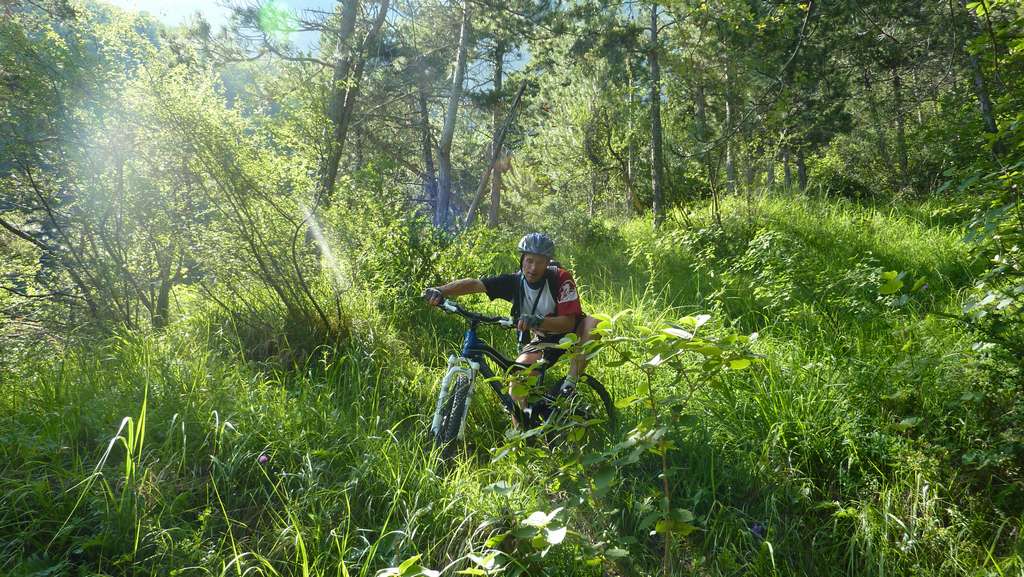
(545, 303)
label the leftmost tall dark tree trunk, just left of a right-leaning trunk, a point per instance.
(336, 106)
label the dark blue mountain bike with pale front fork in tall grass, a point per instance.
(589, 404)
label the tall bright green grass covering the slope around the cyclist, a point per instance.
(815, 445)
